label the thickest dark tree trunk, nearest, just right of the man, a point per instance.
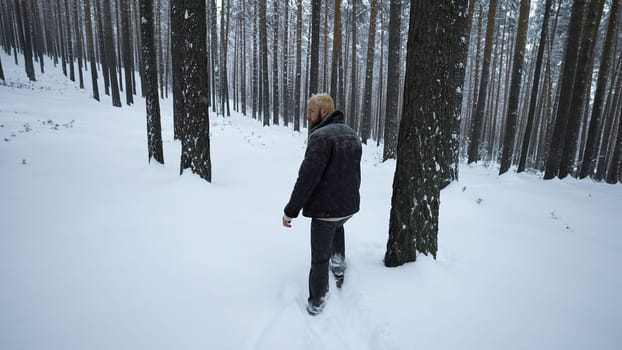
(430, 102)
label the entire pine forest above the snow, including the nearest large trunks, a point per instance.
(530, 85)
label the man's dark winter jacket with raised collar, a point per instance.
(330, 175)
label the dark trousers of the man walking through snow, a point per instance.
(327, 239)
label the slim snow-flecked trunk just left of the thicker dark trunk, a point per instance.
(154, 130)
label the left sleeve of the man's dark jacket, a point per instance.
(311, 170)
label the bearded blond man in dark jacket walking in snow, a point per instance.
(327, 190)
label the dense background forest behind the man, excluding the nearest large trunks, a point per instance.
(541, 90)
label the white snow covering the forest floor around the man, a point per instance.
(101, 250)
